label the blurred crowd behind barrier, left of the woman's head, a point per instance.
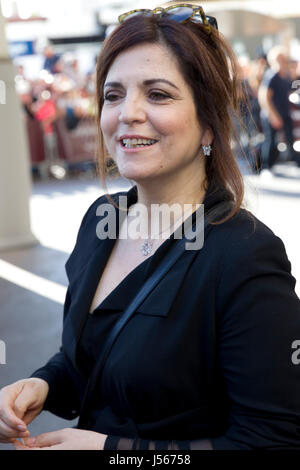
(61, 92)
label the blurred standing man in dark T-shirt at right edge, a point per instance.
(273, 97)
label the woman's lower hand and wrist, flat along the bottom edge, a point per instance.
(64, 439)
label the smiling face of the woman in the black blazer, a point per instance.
(146, 97)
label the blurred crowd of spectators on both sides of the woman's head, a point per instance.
(270, 105)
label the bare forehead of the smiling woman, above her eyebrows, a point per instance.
(143, 60)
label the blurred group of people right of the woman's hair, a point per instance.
(270, 109)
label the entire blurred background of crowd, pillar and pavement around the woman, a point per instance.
(48, 178)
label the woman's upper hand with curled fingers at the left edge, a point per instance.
(20, 403)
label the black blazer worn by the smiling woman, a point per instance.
(209, 354)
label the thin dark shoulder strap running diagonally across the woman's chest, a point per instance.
(168, 261)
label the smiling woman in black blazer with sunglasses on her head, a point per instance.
(206, 360)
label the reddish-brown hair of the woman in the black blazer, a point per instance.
(208, 66)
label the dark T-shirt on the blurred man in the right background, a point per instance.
(281, 88)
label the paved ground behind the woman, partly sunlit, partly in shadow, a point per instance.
(32, 280)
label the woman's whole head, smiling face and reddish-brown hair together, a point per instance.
(169, 81)
